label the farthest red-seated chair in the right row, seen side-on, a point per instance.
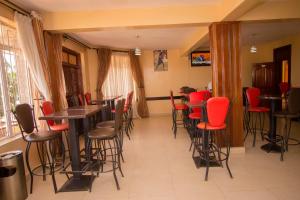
(175, 108)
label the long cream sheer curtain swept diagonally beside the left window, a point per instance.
(29, 48)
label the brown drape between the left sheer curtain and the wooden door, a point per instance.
(54, 51)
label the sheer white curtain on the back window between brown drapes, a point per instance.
(119, 80)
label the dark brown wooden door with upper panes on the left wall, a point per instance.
(73, 75)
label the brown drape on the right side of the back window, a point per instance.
(137, 74)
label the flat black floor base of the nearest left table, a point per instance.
(78, 184)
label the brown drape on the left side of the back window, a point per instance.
(104, 59)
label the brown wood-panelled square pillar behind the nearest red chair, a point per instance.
(225, 55)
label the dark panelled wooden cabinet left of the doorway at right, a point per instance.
(263, 77)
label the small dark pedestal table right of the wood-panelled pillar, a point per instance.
(271, 146)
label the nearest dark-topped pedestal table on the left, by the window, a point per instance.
(75, 115)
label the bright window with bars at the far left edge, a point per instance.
(14, 80)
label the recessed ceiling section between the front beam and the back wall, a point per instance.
(158, 38)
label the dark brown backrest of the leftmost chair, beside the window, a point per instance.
(24, 115)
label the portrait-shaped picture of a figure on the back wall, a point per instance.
(160, 60)
